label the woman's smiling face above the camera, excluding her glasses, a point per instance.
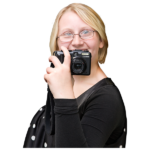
(70, 21)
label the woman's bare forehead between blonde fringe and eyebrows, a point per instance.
(70, 20)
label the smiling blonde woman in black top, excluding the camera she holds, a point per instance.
(89, 110)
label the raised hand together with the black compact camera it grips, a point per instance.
(63, 65)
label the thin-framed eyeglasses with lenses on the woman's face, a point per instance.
(68, 36)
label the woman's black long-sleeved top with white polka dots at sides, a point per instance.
(95, 120)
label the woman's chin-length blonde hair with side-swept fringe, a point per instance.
(91, 17)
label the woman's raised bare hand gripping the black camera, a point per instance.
(59, 78)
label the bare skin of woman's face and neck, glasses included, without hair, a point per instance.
(87, 38)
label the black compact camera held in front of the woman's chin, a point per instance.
(80, 61)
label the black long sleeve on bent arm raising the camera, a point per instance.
(93, 130)
